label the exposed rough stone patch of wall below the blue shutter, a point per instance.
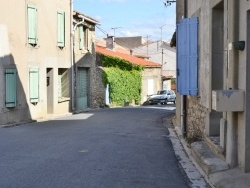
(196, 118)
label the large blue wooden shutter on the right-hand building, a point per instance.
(187, 56)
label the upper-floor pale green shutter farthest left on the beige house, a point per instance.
(32, 24)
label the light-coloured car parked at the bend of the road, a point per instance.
(163, 97)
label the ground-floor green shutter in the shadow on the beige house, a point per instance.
(10, 87)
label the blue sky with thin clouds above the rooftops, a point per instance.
(150, 19)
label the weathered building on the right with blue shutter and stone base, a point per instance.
(217, 105)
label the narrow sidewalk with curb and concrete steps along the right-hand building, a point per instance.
(213, 169)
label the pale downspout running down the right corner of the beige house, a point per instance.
(72, 57)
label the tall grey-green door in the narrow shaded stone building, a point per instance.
(82, 89)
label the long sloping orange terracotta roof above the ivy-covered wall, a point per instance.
(125, 56)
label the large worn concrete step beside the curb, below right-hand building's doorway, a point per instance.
(206, 159)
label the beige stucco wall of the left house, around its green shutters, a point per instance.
(16, 52)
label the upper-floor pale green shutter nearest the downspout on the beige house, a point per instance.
(60, 29)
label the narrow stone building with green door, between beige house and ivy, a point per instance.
(85, 69)
